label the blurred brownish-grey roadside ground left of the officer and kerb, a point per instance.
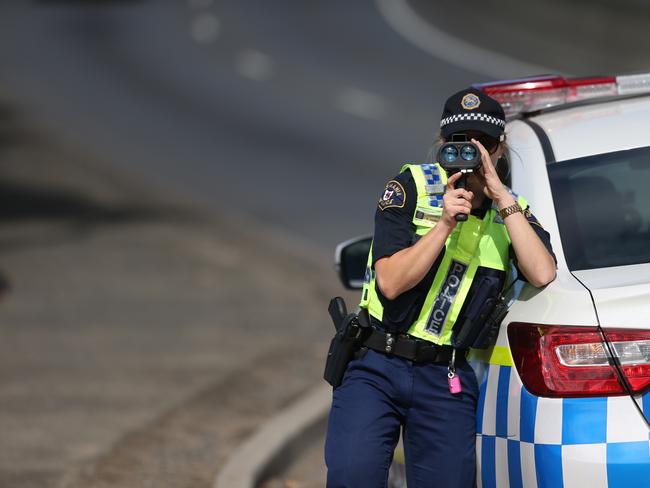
(141, 339)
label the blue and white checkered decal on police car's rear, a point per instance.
(529, 441)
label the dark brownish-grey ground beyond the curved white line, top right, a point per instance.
(578, 37)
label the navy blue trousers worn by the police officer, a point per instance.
(379, 396)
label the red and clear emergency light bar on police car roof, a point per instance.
(530, 94)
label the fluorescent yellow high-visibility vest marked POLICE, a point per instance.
(476, 242)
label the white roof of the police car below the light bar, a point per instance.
(597, 127)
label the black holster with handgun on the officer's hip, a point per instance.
(350, 334)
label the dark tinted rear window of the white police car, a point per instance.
(602, 204)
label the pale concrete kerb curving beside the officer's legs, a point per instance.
(269, 449)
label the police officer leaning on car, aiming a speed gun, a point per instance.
(428, 275)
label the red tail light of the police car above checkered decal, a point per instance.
(560, 361)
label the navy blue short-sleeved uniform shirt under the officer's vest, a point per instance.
(394, 231)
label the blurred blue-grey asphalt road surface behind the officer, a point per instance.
(128, 80)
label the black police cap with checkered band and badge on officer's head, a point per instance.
(471, 109)
